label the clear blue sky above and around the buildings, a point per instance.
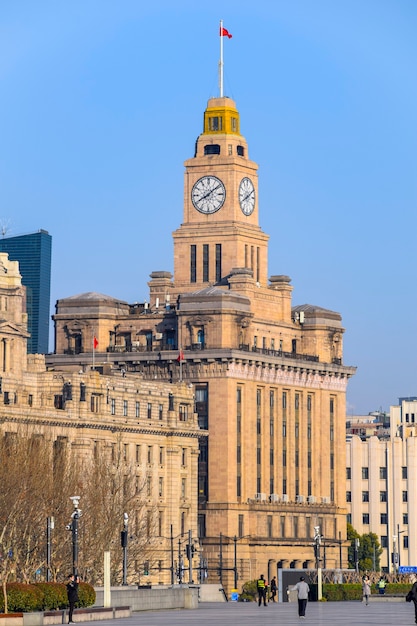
(101, 103)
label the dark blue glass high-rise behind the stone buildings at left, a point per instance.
(33, 251)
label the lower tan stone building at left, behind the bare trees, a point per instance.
(150, 424)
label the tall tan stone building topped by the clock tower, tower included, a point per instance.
(269, 377)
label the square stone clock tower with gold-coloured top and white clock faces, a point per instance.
(220, 231)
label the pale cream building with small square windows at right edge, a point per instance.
(381, 492)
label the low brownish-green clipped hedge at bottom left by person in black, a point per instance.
(22, 598)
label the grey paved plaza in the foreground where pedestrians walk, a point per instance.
(383, 613)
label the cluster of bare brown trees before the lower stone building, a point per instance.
(37, 477)
